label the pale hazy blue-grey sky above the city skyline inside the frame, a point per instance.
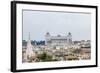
(38, 23)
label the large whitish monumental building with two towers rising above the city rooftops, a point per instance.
(58, 40)
